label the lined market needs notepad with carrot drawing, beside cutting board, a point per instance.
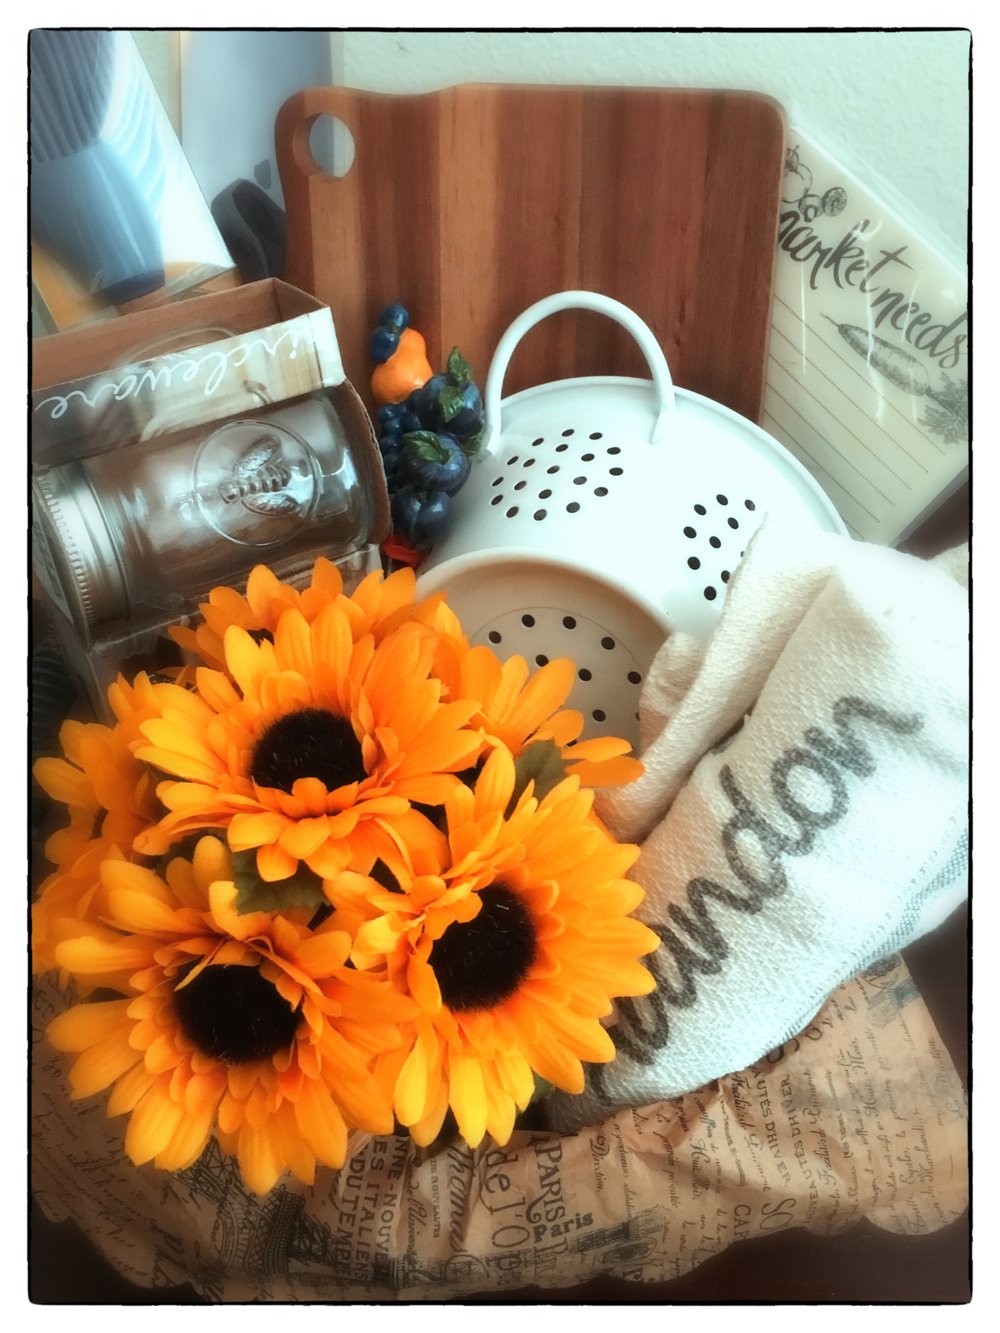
(867, 379)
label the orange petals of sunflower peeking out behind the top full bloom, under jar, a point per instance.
(378, 606)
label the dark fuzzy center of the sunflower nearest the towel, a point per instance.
(483, 962)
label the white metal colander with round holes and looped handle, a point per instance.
(606, 513)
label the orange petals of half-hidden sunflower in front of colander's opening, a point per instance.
(521, 708)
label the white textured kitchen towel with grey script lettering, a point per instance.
(805, 806)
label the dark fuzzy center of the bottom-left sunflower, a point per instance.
(235, 1015)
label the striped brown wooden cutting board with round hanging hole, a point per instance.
(470, 205)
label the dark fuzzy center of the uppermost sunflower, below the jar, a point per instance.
(311, 743)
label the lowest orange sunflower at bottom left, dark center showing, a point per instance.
(247, 1024)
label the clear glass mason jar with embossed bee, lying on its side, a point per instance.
(143, 534)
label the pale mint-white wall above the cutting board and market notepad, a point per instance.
(893, 105)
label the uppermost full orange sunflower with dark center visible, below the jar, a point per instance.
(311, 747)
